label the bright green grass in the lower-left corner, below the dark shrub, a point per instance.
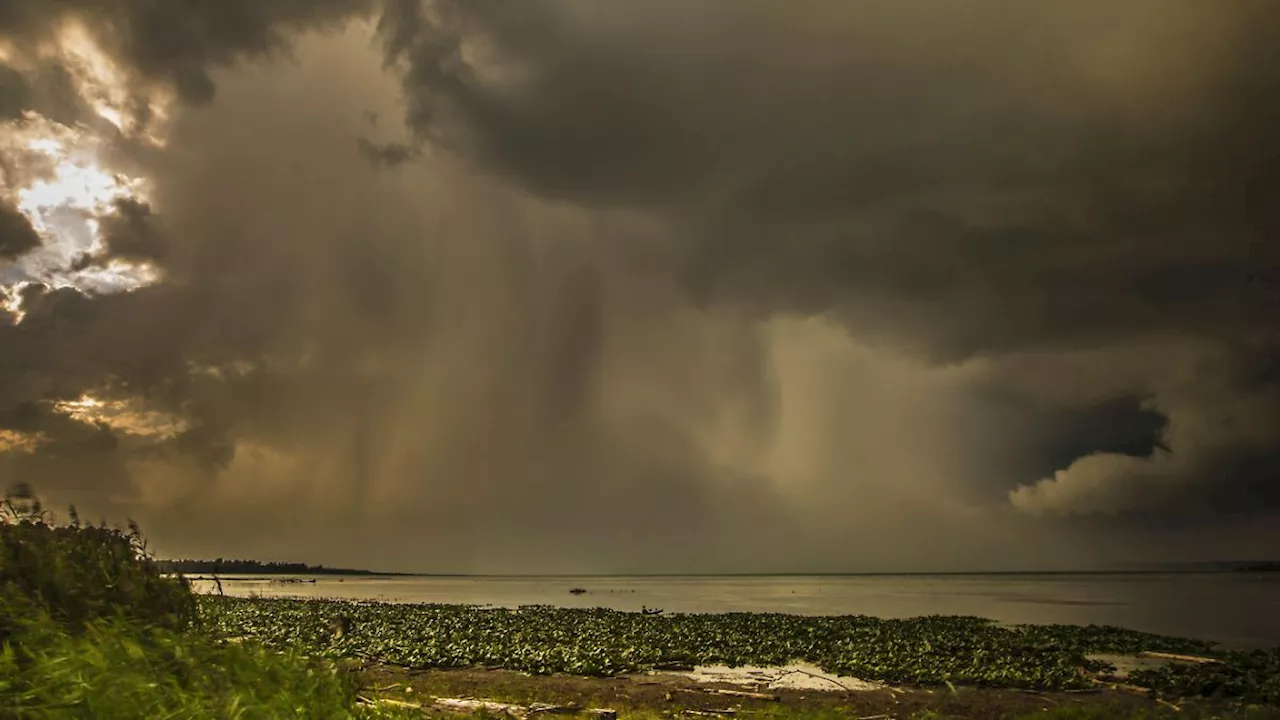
(115, 669)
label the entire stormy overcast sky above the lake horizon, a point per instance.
(647, 286)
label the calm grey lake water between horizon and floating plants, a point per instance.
(1233, 609)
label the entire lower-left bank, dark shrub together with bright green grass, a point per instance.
(90, 628)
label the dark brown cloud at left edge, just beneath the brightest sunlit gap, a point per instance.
(138, 347)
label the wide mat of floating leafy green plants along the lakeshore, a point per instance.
(542, 640)
